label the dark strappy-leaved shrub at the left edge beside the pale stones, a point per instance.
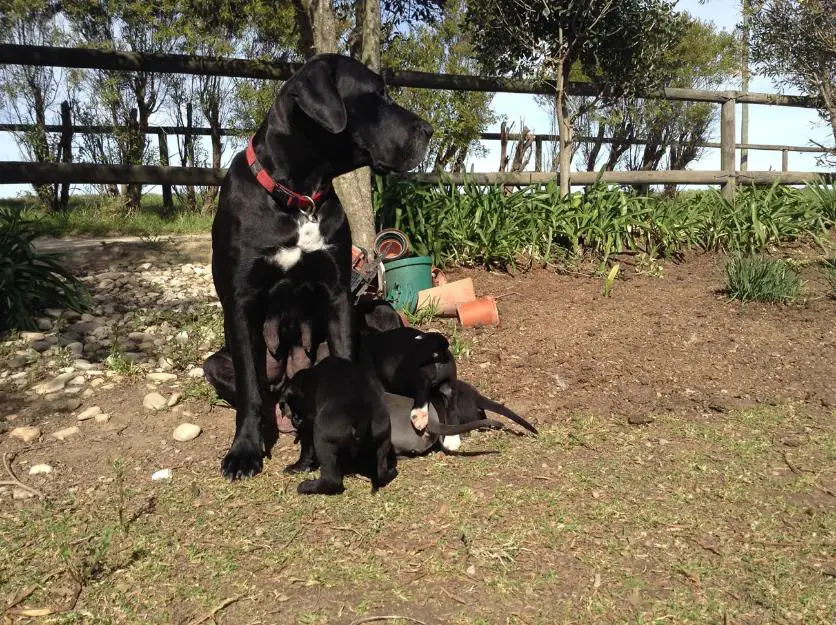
(31, 280)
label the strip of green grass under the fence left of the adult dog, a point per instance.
(94, 215)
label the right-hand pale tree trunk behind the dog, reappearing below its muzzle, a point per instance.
(355, 188)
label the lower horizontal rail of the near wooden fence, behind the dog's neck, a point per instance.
(85, 173)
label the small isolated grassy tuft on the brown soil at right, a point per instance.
(760, 279)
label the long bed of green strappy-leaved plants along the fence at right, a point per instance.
(486, 225)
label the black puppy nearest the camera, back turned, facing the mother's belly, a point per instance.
(342, 424)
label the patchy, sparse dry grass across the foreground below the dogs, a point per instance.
(724, 519)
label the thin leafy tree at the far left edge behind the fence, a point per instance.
(29, 93)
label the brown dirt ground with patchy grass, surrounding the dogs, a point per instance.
(719, 508)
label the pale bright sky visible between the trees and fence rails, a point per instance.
(767, 124)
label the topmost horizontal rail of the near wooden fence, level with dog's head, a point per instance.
(88, 58)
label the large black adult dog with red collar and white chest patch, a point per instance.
(279, 222)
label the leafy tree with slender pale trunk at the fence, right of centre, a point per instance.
(618, 45)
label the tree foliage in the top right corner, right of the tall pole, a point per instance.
(794, 43)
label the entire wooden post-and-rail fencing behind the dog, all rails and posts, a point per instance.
(727, 176)
